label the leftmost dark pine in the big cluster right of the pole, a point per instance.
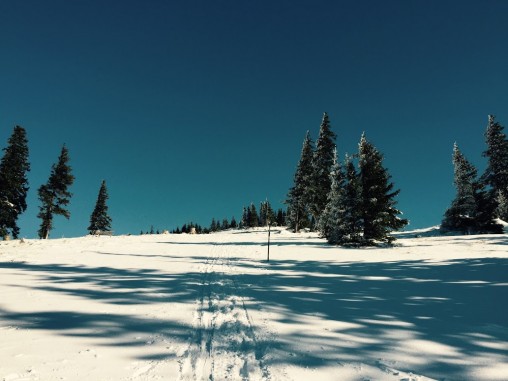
(300, 195)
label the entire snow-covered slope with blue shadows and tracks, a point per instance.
(209, 307)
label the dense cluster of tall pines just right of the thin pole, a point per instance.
(350, 202)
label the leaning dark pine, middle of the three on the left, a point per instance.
(54, 195)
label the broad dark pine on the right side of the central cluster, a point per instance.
(379, 214)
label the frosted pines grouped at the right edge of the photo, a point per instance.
(480, 200)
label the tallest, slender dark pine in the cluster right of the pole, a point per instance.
(322, 162)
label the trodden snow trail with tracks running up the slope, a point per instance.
(223, 345)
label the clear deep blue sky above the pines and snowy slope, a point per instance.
(191, 109)
